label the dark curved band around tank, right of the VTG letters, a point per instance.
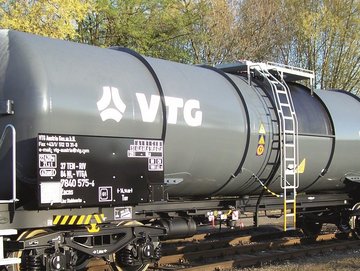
(238, 170)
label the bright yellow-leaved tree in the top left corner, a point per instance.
(52, 18)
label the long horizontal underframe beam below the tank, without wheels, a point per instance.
(24, 219)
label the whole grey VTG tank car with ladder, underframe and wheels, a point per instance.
(106, 152)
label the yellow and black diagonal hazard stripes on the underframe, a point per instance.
(62, 220)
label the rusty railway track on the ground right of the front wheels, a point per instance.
(239, 254)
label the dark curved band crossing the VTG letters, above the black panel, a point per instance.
(156, 79)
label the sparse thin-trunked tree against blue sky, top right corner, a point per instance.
(325, 38)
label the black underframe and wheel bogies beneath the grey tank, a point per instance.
(63, 247)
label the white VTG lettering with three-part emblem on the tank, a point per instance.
(149, 109)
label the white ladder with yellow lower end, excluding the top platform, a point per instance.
(289, 151)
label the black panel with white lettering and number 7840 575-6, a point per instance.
(76, 170)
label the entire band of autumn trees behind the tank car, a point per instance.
(321, 35)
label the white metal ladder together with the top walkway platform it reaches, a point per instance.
(289, 151)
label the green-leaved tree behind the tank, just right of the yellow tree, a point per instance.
(152, 27)
